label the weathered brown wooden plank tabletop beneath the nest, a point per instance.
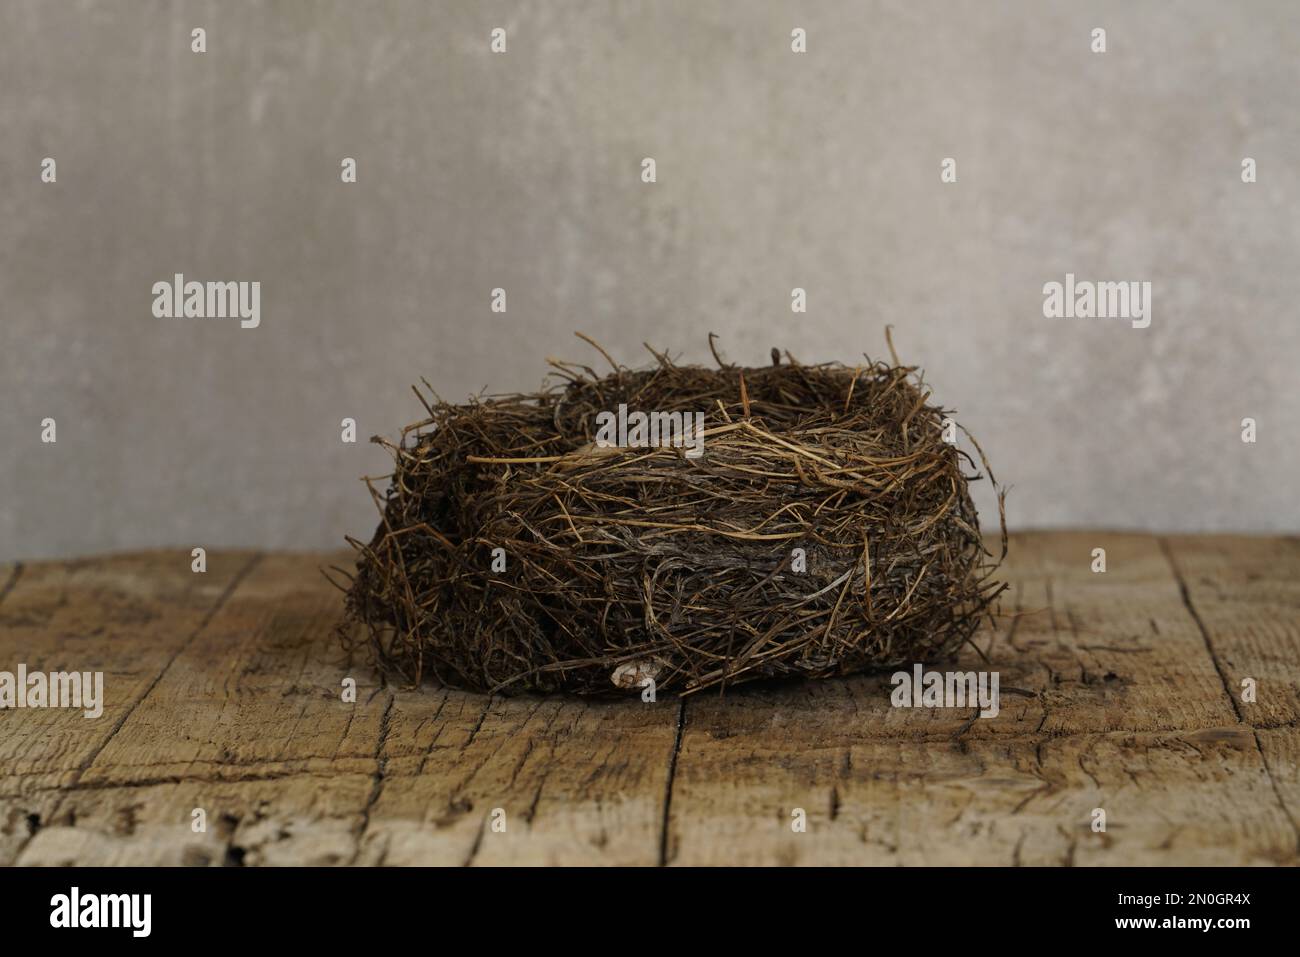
(224, 695)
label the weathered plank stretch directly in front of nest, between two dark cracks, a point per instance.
(578, 782)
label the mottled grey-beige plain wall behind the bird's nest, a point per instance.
(523, 171)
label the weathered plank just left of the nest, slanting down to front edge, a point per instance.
(248, 722)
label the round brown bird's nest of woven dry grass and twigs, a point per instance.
(827, 529)
